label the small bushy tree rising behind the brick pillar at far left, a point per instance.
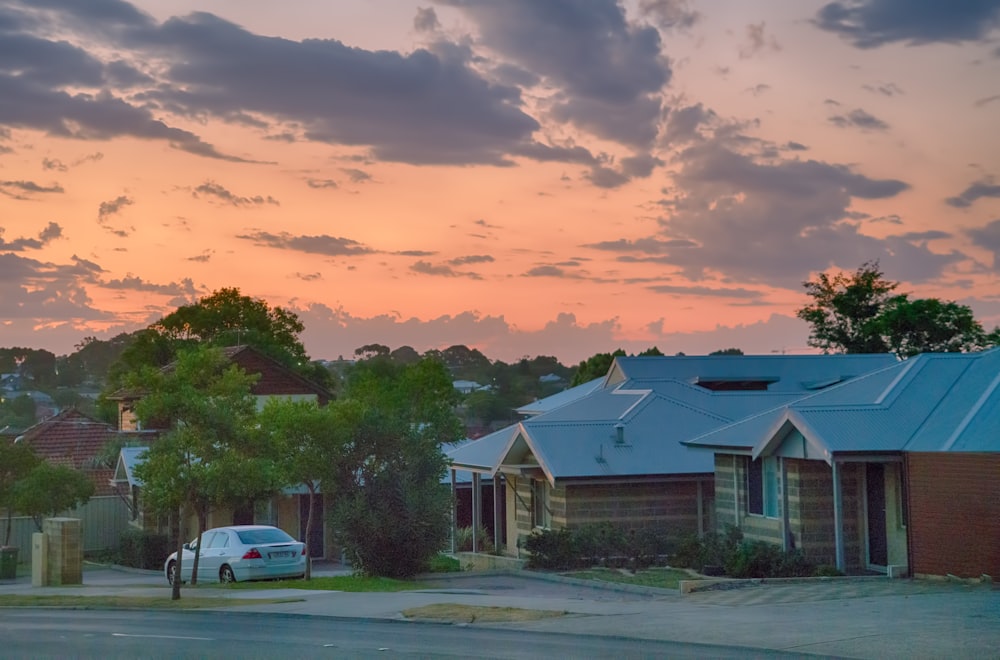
(48, 490)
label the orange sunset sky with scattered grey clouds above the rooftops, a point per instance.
(527, 178)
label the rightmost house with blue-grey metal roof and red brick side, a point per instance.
(896, 471)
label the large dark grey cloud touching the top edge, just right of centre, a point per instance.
(607, 73)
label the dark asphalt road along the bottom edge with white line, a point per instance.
(51, 633)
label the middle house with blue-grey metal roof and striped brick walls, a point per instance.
(613, 453)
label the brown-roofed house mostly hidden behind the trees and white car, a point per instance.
(288, 510)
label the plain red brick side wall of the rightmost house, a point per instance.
(954, 513)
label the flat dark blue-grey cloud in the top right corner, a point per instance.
(873, 23)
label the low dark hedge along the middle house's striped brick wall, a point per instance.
(596, 544)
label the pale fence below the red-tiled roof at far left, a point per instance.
(103, 520)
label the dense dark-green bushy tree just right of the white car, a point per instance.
(390, 509)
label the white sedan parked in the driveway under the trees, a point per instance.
(240, 553)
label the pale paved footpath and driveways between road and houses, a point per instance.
(855, 618)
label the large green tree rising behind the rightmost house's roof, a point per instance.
(860, 313)
